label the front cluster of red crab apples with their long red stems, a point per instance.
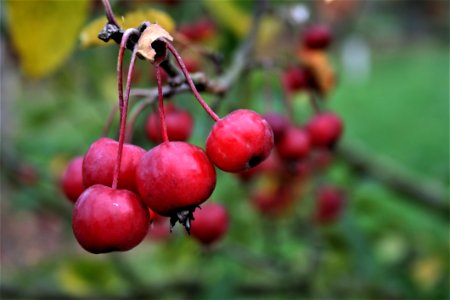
(116, 185)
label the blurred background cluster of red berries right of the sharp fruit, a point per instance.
(300, 150)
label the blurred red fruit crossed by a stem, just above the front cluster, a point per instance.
(179, 124)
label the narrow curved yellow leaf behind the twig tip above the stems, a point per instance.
(89, 34)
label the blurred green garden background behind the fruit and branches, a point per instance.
(392, 65)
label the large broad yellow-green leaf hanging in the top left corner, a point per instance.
(44, 33)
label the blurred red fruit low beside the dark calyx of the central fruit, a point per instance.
(210, 223)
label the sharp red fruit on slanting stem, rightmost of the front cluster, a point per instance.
(239, 141)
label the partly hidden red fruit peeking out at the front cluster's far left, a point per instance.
(72, 180)
